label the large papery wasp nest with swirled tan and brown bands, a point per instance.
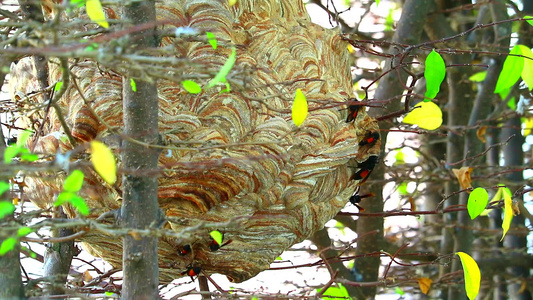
(281, 182)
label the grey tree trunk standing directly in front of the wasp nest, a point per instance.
(140, 209)
